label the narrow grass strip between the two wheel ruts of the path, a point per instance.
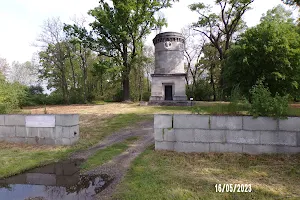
(104, 155)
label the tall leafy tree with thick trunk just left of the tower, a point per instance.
(118, 30)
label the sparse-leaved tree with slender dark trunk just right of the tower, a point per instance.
(220, 28)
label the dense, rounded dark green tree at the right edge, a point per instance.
(271, 51)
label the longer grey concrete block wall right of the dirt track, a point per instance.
(240, 134)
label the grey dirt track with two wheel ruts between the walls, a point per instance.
(118, 167)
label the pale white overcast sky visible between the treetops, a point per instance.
(21, 20)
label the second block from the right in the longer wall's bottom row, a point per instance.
(259, 149)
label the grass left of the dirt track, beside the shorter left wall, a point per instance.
(15, 159)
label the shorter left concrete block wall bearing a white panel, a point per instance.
(63, 131)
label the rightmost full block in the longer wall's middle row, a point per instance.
(279, 138)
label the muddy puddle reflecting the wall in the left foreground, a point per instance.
(58, 181)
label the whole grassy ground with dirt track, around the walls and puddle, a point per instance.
(118, 139)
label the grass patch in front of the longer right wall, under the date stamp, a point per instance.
(171, 175)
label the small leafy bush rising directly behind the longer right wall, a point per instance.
(263, 104)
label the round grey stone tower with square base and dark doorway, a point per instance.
(168, 80)
